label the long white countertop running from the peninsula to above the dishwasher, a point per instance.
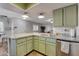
(44, 35)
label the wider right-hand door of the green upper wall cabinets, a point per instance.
(70, 16)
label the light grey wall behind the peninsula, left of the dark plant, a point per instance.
(23, 26)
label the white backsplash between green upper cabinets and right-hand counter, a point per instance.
(63, 31)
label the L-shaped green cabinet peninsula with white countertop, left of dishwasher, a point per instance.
(24, 43)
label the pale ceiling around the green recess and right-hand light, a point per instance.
(35, 9)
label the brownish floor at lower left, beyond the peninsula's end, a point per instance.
(3, 49)
